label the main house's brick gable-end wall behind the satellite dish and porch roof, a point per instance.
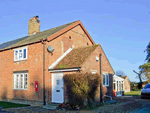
(60, 45)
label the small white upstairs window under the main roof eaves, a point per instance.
(20, 54)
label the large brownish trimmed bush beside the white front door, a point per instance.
(81, 86)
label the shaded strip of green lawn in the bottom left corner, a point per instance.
(11, 105)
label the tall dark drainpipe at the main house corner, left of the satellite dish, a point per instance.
(44, 102)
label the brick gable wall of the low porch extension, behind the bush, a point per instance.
(92, 64)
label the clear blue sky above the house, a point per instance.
(122, 27)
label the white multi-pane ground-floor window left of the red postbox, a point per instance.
(20, 80)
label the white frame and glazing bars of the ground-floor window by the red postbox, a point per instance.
(19, 81)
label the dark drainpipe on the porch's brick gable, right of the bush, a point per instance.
(101, 90)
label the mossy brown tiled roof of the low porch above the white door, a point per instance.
(76, 57)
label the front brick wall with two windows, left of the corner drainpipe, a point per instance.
(33, 64)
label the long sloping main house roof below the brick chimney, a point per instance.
(33, 38)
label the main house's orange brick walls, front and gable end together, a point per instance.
(34, 65)
